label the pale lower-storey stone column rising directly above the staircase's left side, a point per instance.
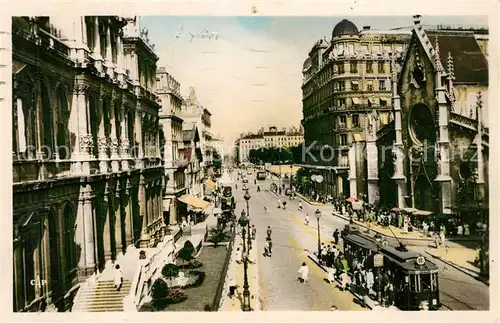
(85, 233)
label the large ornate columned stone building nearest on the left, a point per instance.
(87, 177)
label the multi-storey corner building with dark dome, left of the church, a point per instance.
(345, 79)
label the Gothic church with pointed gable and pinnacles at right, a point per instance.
(434, 155)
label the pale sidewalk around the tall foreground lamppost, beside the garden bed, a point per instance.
(237, 271)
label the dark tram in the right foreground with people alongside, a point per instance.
(414, 278)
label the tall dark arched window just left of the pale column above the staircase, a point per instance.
(70, 256)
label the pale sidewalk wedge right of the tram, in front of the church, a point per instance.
(461, 259)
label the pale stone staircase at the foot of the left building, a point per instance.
(101, 297)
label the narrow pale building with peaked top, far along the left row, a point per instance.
(194, 114)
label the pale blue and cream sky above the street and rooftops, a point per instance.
(251, 75)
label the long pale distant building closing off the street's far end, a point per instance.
(267, 139)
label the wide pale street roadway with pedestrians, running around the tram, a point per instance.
(292, 240)
